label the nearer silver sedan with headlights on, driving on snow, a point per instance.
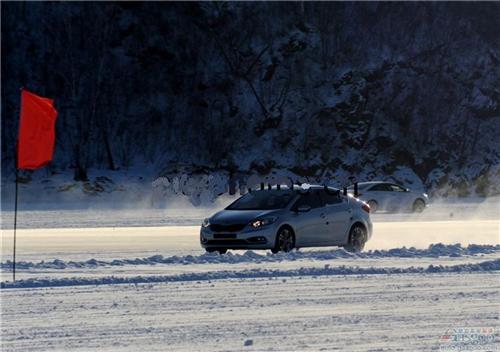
(283, 219)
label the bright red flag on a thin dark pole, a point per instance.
(36, 131)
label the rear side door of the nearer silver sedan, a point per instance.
(338, 214)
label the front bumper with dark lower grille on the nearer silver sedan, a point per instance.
(245, 239)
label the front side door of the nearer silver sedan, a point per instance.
(310, 227)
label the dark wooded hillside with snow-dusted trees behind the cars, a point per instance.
(256, 86)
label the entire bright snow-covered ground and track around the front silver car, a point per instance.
(124, 286)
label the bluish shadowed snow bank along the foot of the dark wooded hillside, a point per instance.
(141, 188)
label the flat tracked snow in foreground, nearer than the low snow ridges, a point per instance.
(363, 312)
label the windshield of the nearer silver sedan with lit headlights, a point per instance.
(263, 200)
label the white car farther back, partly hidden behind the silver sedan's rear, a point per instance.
(391, 197)
